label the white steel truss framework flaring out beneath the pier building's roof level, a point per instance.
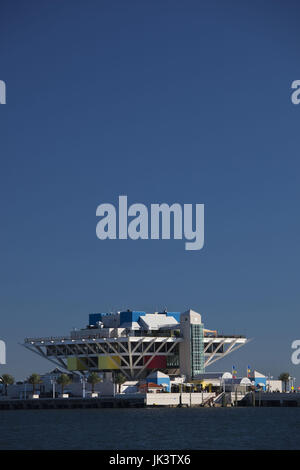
(130, 355)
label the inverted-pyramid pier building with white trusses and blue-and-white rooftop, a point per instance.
(135, 343)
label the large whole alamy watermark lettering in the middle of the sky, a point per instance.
(139, 222)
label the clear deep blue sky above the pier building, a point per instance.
(165, 101)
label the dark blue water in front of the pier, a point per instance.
(179, 428)
